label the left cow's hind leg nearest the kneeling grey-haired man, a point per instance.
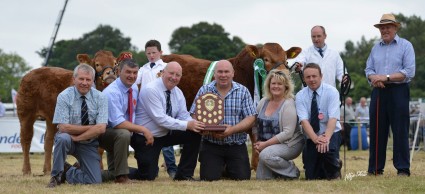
(48, 145)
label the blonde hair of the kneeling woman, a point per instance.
(284, 78)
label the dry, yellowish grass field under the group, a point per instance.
(353, 181)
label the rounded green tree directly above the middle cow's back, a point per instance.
(206, 41)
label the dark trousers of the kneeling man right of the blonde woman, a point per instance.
(322, 165)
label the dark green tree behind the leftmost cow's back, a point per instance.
(104, 37)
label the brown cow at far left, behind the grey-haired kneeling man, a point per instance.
(37, 98)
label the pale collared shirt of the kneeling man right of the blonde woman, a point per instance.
(327, 100)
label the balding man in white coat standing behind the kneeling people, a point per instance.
(329, 60)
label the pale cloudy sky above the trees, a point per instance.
(26, 26)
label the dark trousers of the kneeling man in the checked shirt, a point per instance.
(233, 159)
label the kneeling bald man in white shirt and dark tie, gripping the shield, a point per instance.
(162, 109)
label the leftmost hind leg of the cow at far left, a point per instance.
(27, 132)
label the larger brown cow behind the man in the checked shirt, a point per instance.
(195, 69)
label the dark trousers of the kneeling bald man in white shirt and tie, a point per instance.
(147, 155)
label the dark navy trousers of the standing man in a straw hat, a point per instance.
(392, 110)
